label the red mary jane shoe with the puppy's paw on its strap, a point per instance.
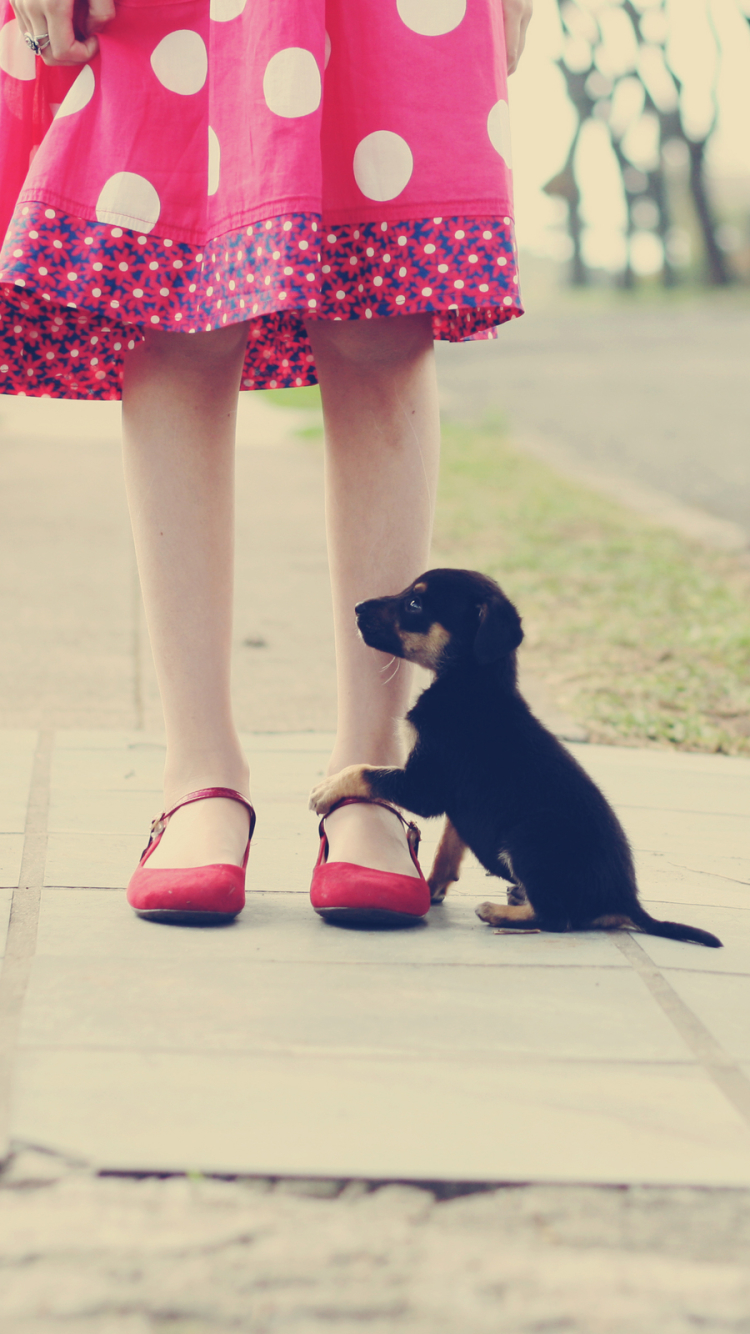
(346, 893)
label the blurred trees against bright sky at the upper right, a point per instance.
(652, 182)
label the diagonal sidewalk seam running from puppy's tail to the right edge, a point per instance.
(724, 1072)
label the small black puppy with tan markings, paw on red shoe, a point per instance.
(510, 790)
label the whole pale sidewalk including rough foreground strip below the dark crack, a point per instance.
(301, 1060)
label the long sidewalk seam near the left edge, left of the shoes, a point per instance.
(23, 922)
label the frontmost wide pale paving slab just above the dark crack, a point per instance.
(342, 1117)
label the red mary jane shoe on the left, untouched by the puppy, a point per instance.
(200, 896)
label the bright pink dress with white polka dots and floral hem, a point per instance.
(261, 161)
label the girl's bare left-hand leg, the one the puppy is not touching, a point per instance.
(179, 412)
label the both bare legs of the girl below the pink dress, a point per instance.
(179, 406)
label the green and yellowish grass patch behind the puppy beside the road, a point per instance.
(640, 636)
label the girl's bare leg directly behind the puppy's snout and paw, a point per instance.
(382, 436)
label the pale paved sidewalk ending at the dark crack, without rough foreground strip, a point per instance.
(281, 1045)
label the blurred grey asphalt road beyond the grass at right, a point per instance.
(656, 392)
